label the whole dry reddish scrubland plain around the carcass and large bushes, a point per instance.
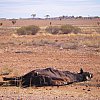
(21, 54)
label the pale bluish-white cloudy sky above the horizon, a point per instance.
(24, 8)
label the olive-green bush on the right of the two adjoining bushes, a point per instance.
(65, 29)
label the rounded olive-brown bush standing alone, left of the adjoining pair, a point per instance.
(28, 30)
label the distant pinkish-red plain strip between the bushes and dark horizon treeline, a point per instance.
(41, 23)
